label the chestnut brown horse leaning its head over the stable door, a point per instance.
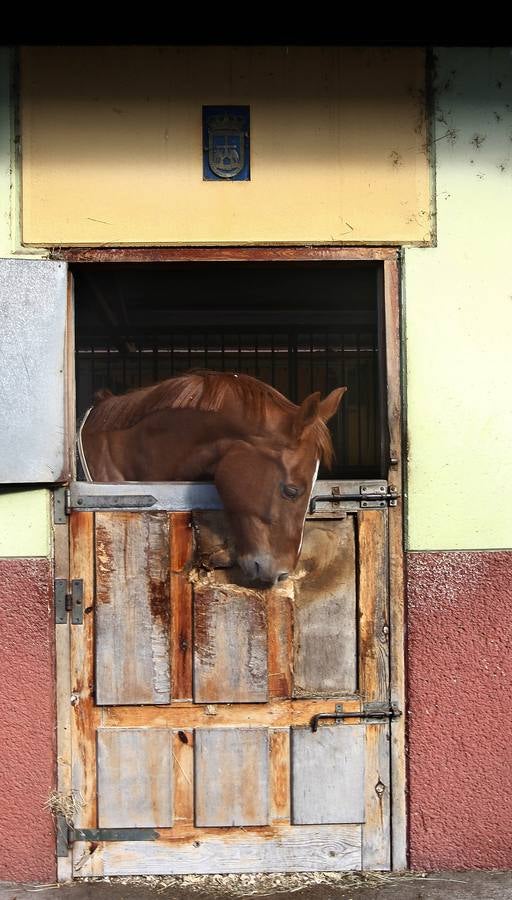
(261, 450)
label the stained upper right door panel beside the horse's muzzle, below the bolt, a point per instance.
(325, 611)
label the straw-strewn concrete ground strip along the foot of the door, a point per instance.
(465, 885)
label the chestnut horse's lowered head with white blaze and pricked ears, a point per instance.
(265, 483)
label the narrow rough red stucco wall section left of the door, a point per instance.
(27, 720)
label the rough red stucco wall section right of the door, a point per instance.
(460, 709)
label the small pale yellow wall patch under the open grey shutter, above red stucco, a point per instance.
(25, 527)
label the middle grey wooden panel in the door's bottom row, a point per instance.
(231, 773)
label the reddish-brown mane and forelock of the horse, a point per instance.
(204, 390)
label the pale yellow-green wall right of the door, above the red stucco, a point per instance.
(458, 303)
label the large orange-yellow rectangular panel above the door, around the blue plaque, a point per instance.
(112, 145)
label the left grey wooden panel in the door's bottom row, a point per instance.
(134, 777)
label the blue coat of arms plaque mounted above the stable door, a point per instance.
(227, 130)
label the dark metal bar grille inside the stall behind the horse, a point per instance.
(294, 363)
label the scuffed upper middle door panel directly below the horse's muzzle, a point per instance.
(230, 645)
